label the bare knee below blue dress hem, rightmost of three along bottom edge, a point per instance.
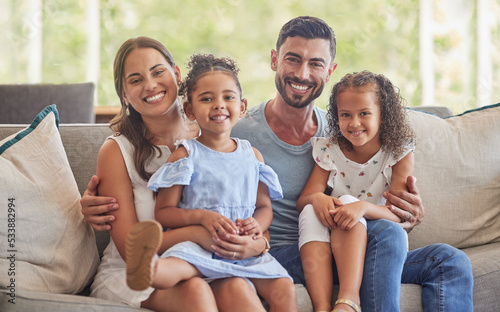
(278, 292)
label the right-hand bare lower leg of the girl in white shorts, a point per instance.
(349, 249)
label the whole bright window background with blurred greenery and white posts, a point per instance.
(439, 52)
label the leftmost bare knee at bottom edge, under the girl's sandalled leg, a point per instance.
(193, 294)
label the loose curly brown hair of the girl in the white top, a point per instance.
(395, 131)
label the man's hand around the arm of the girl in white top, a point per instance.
(407, 205)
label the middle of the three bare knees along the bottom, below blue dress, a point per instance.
(235, 294)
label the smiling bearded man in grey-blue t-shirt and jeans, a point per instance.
(281, 129)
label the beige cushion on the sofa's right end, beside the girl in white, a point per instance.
(457, 167)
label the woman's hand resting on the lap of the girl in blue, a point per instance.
(234, 246)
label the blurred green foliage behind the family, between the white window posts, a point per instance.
(378, 35)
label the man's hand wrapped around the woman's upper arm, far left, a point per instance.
(95, 208)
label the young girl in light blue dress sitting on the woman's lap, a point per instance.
(215, 181)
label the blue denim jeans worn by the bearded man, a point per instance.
(443, 272)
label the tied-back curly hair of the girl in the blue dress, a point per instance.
(200, 65)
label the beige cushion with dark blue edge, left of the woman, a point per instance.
(50, 247)
